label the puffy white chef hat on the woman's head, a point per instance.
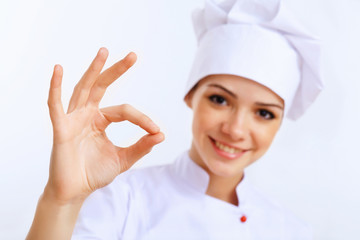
(259, 40)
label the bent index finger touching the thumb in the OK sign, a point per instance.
(127, 112)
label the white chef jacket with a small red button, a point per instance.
(169, 202)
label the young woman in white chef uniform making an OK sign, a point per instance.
(254, 66)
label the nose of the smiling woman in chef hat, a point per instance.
(236, 126)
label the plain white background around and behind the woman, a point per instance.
(312, 167)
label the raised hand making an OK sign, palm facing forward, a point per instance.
(83, 159)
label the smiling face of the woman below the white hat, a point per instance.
(234, 122)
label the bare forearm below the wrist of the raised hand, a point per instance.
(53, 221)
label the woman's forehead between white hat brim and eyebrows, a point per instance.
(240, 86)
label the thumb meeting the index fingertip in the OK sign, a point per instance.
(142, 147)
